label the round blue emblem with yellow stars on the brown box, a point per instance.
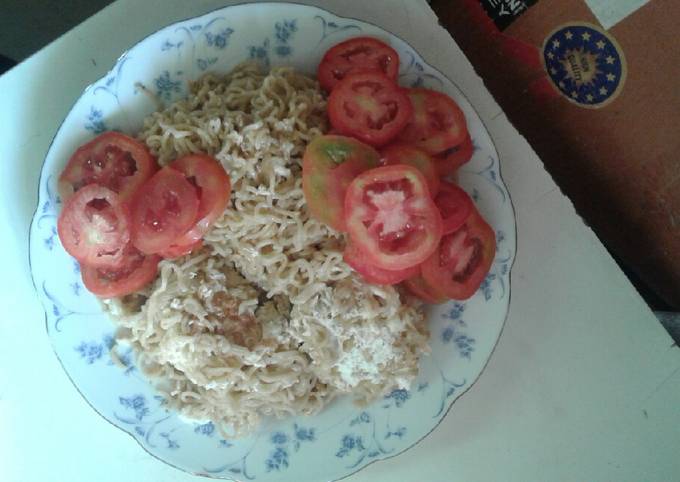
(585, 64)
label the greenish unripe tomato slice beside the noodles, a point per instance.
(330, 163)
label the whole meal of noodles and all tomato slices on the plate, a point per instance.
(260, 266)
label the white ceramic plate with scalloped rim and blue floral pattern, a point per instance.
(342, 439)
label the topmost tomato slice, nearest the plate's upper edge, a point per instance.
(359, 54)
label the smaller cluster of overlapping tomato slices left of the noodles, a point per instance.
(119, 207)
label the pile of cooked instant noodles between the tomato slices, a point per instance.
(265, 319)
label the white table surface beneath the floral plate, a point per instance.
(584, 383)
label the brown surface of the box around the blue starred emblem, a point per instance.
(620, 164)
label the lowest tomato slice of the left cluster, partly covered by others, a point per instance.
(135, 271)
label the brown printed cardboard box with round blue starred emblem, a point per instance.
(594, 85)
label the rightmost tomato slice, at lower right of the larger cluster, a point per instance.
(463, 259)
